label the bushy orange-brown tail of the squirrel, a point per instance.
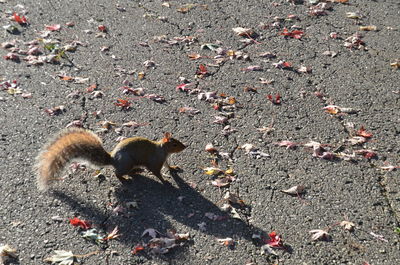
(69, 144)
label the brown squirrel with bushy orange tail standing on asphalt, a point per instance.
(128, 155)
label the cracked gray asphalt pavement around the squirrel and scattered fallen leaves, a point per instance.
(142, 33)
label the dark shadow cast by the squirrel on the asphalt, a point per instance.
(161, 207)
